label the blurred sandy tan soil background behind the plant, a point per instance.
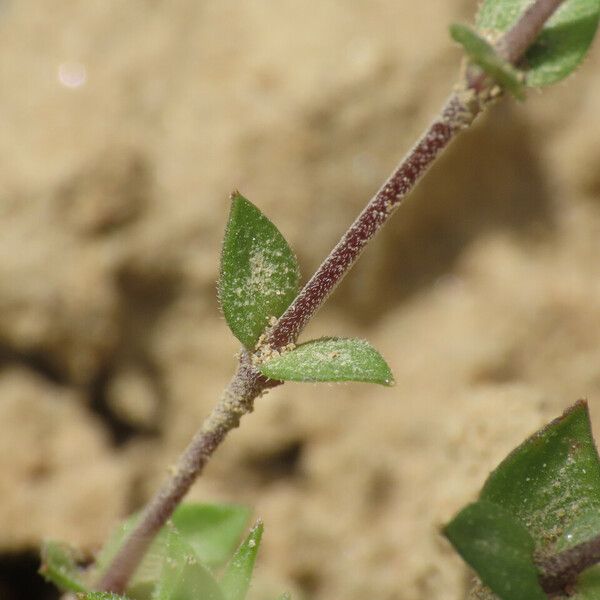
(124, 125)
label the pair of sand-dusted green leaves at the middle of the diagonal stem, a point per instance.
(259, 280)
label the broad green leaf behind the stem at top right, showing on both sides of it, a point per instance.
(562, 44)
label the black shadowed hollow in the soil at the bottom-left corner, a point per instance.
(19, 579)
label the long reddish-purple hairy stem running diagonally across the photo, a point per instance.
(460, 110)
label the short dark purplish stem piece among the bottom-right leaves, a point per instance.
(559, 572)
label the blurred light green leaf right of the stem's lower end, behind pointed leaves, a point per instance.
(212, 530)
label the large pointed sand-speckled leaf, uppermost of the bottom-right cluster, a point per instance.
(551, 479)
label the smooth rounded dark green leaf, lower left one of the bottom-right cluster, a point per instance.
(498, 548)
